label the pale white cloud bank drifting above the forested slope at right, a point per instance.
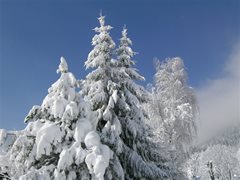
(219, 99)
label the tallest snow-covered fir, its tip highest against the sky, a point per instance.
(100, 90)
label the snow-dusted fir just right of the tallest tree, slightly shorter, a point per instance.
(140, 154)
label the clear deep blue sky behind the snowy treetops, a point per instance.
(34, 34)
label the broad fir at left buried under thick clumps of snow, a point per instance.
(53, 145)
